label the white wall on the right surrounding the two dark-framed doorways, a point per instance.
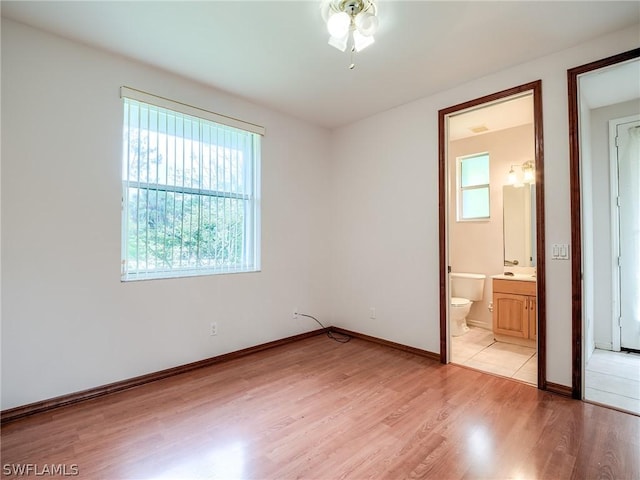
(385, 184)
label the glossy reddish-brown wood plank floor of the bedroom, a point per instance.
(323, 410)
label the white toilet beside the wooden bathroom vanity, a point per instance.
(466, 288)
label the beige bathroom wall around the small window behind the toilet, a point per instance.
(478, 247)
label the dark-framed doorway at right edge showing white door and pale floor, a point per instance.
(604, 109)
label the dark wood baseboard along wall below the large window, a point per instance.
(16, 413)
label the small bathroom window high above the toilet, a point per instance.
(473, 187)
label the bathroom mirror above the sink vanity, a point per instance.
(519, 230)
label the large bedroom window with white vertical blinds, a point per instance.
(190, 191)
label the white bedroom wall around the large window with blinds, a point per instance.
(68, 323)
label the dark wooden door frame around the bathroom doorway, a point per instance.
(536, 88)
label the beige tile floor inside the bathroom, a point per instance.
(477, 349)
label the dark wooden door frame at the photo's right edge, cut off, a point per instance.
(576, 209)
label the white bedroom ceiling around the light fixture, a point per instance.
(275, 53)
